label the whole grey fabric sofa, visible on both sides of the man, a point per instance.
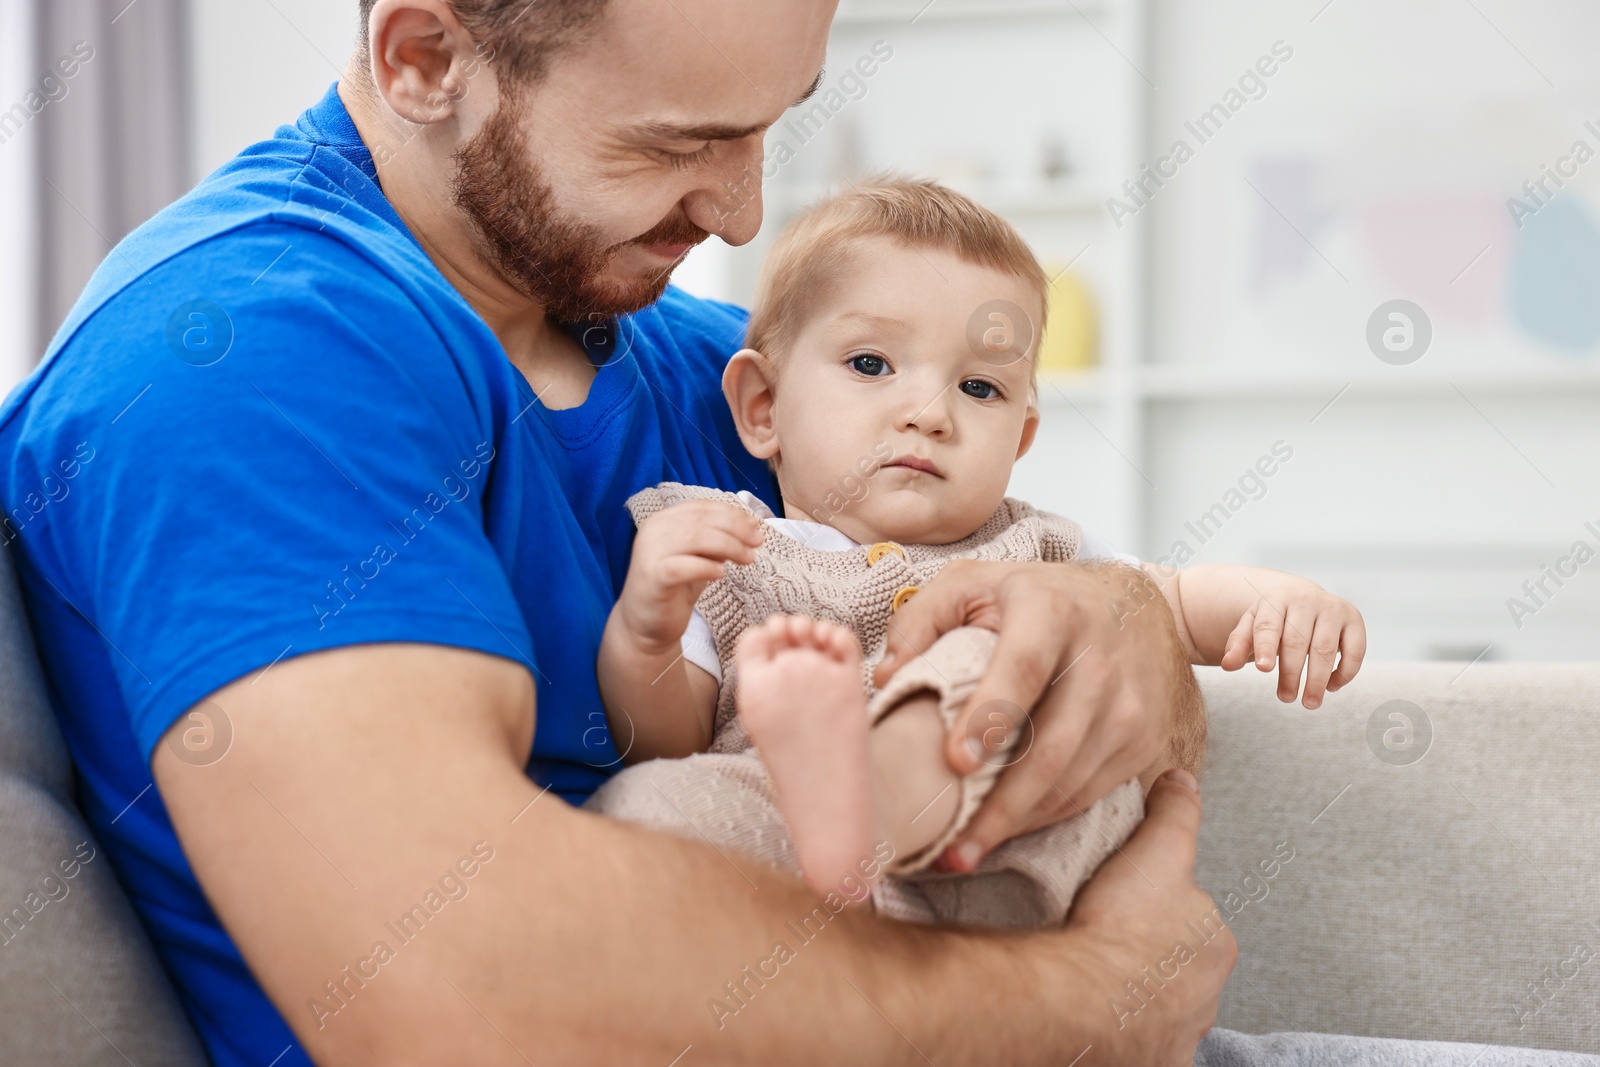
(1423, 897)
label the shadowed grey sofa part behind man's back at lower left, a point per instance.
(79, 978)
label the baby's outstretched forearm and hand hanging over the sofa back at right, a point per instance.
(1231, 615)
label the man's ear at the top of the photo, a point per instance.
(422, 58)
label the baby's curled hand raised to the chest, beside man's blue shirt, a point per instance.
(678, 554)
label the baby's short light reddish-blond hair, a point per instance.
(818, 246)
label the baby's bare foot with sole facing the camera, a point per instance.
(801, 700)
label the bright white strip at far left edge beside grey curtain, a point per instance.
(18, 239)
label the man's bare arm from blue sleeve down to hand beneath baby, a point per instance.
(358, 778)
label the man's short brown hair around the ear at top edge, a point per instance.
(518, 38)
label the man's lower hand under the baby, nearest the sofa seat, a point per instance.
(1135, 914)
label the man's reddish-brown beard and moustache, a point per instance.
(545, 254)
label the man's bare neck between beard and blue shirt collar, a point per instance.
(417, 183)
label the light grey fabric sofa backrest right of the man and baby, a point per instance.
(1446, 881)
